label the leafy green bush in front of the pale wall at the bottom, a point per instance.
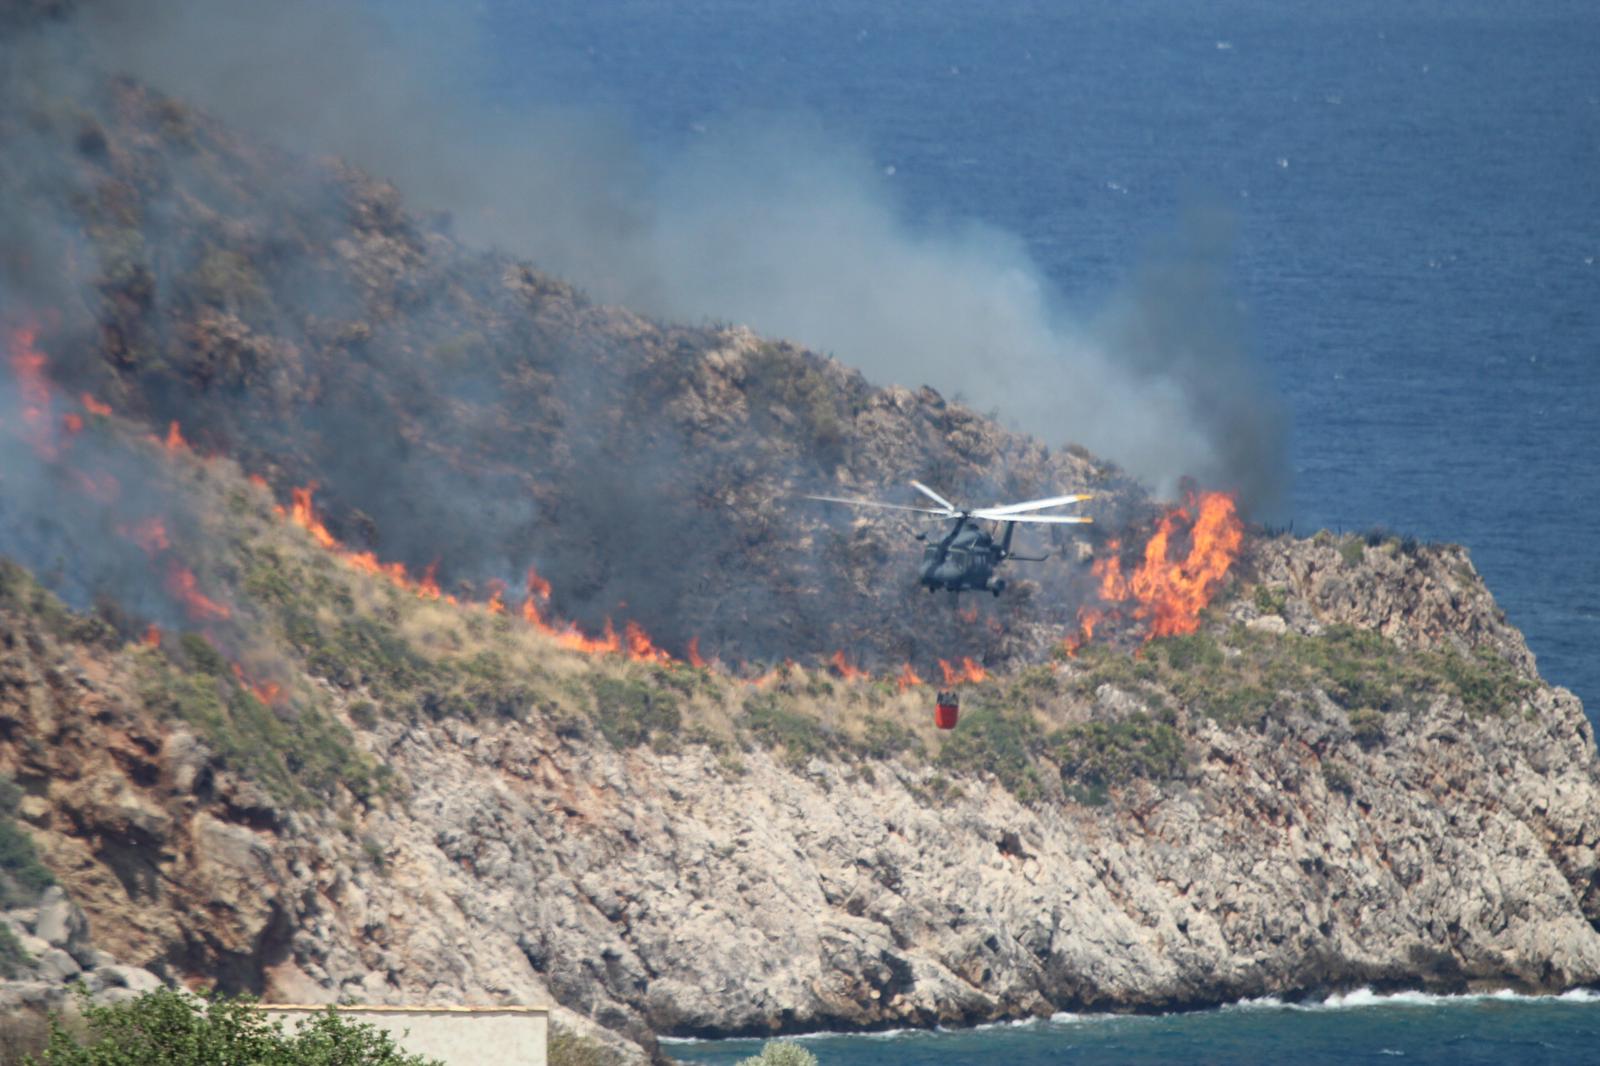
(172, 1028)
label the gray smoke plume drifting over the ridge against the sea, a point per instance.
(772, 223)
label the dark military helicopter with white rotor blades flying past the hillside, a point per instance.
(967, 556)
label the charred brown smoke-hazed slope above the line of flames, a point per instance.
(470, 419)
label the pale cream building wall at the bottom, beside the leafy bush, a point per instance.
(457, 1036)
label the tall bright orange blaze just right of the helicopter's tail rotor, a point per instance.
(1169, 593)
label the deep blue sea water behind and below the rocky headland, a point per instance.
(1414, 198)
